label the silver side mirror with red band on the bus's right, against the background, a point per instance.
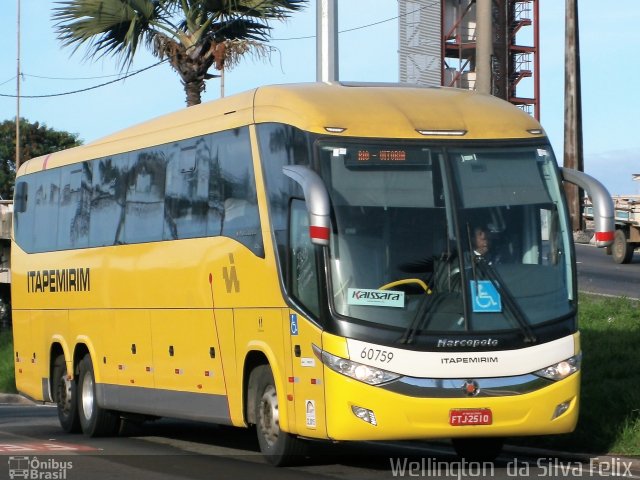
(603, 211)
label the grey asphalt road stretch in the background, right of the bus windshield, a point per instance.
(598, 273)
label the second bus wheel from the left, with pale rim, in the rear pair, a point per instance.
(94, 420)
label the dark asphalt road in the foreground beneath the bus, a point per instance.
(31, 441)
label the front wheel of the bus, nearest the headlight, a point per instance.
(280, 448)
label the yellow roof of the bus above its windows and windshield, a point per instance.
(362, 110)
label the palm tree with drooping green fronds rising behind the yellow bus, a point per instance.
(193, 35)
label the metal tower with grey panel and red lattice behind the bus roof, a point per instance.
(438, 46)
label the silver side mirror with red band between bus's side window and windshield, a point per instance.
(317, 200)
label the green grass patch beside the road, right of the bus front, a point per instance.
(609, 420)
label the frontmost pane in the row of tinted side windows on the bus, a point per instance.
(235, 186)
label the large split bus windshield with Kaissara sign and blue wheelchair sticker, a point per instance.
(433, 239)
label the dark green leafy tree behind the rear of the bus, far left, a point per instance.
(35, 140)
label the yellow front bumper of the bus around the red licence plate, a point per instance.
(400, 417)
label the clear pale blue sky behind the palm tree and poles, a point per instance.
(608, 35)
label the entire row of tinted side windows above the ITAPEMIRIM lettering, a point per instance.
(197, 187)
